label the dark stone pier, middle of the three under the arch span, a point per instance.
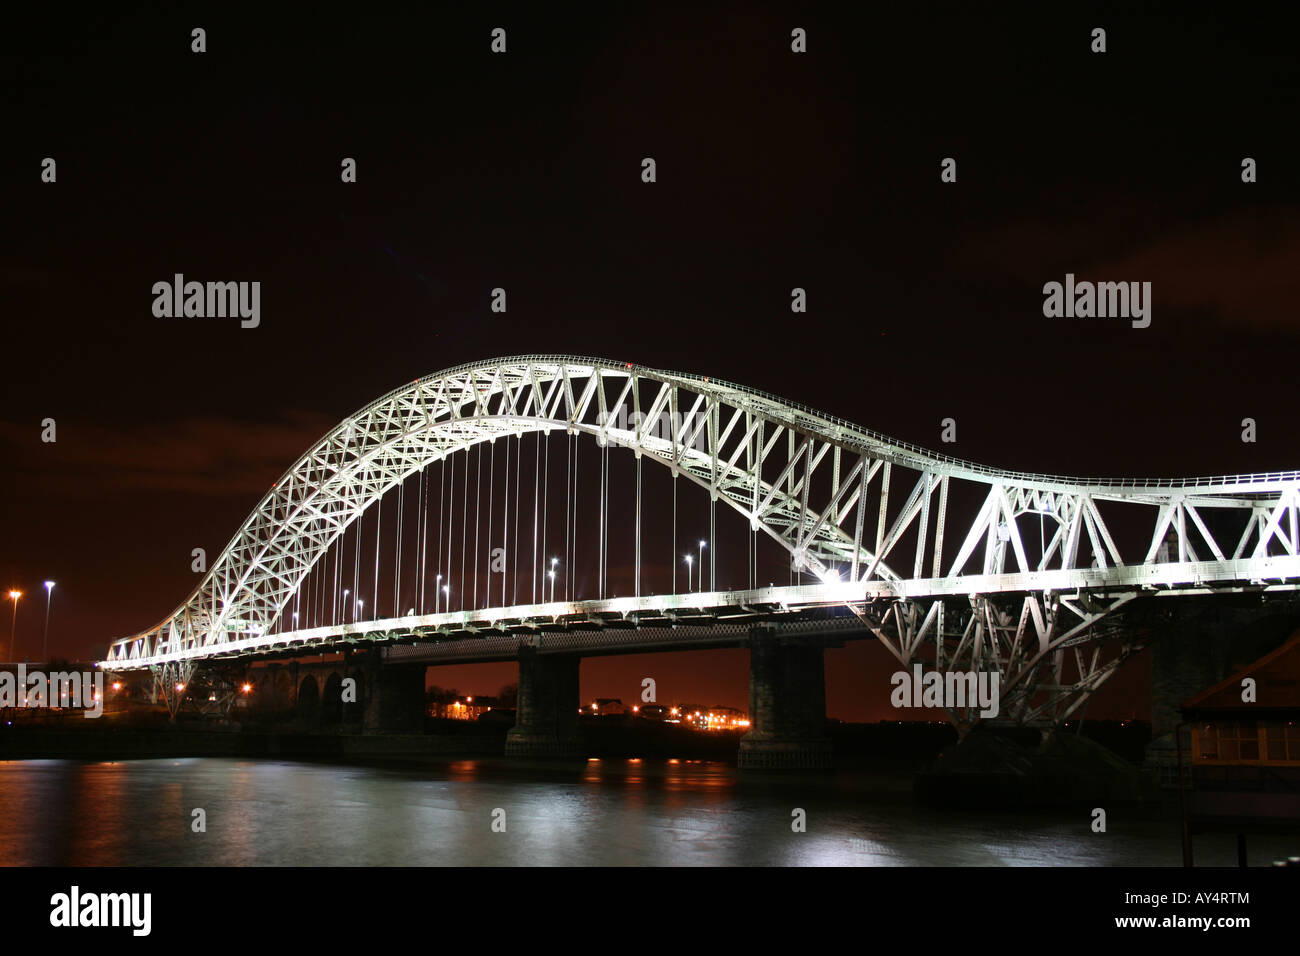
(547, 715)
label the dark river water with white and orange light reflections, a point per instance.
(604, 812)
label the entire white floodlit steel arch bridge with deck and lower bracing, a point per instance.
(937, 557)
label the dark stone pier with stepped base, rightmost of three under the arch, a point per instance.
(787, 704)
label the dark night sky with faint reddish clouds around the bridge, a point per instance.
(523, 171)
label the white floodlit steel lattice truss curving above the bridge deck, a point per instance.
(730, 443)
